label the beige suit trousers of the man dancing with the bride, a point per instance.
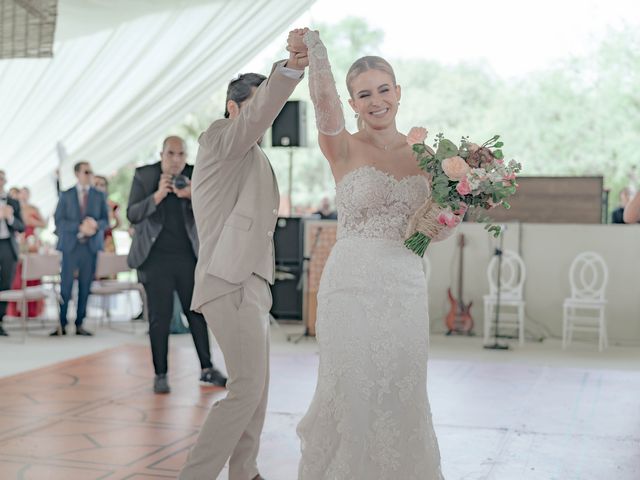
(240, 322)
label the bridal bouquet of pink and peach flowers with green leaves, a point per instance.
(469, 176)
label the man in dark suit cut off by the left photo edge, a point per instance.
(10, 223)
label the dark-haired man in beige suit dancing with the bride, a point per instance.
(235, 203)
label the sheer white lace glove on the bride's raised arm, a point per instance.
(322, 86)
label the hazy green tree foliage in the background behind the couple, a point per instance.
(581, 116)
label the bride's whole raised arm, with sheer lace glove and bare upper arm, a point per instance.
(332, 136)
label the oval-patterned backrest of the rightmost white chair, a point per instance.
(588, 276)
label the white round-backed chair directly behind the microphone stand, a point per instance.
(512, 276)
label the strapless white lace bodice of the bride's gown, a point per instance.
(374, 204)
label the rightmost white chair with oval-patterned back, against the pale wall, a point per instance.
(588, 277)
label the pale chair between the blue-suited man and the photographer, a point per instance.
(108, 267)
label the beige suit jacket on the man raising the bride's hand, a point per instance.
(235, 195)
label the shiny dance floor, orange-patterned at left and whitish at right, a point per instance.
(96, 418)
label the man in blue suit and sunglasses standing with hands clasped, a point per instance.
(81, 218)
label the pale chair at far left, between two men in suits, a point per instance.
(34, 267)
